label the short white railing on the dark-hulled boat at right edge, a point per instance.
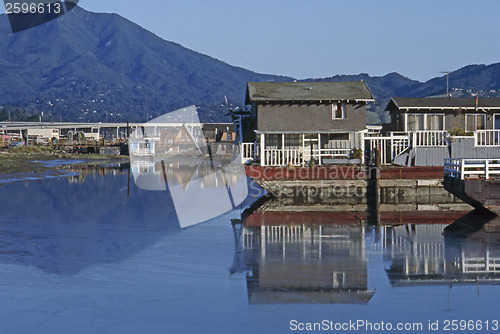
(471, 168)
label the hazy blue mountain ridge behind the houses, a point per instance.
(87, 66)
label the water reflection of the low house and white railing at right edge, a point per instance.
(423, 254)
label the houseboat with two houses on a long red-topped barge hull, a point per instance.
(303, 140)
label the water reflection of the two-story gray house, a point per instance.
(295, 261)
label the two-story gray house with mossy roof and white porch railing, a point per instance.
(298, 123)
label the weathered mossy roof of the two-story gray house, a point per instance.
(307, 91)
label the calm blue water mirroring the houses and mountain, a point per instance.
(96, 254)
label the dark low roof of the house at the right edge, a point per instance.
(406, 103)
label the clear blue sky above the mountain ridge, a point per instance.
(321, 38)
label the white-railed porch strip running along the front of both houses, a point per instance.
(418, 148)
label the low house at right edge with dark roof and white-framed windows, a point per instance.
(439, 128)
